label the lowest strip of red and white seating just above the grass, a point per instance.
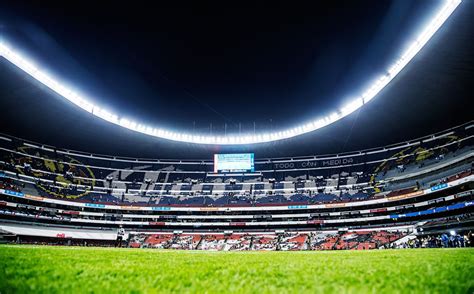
(266, 241)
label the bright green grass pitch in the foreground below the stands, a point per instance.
(27, 269)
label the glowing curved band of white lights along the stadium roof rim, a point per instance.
(85, 103)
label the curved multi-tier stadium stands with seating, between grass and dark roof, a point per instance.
(361, 200)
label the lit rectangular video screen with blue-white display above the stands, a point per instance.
(235, 162)
